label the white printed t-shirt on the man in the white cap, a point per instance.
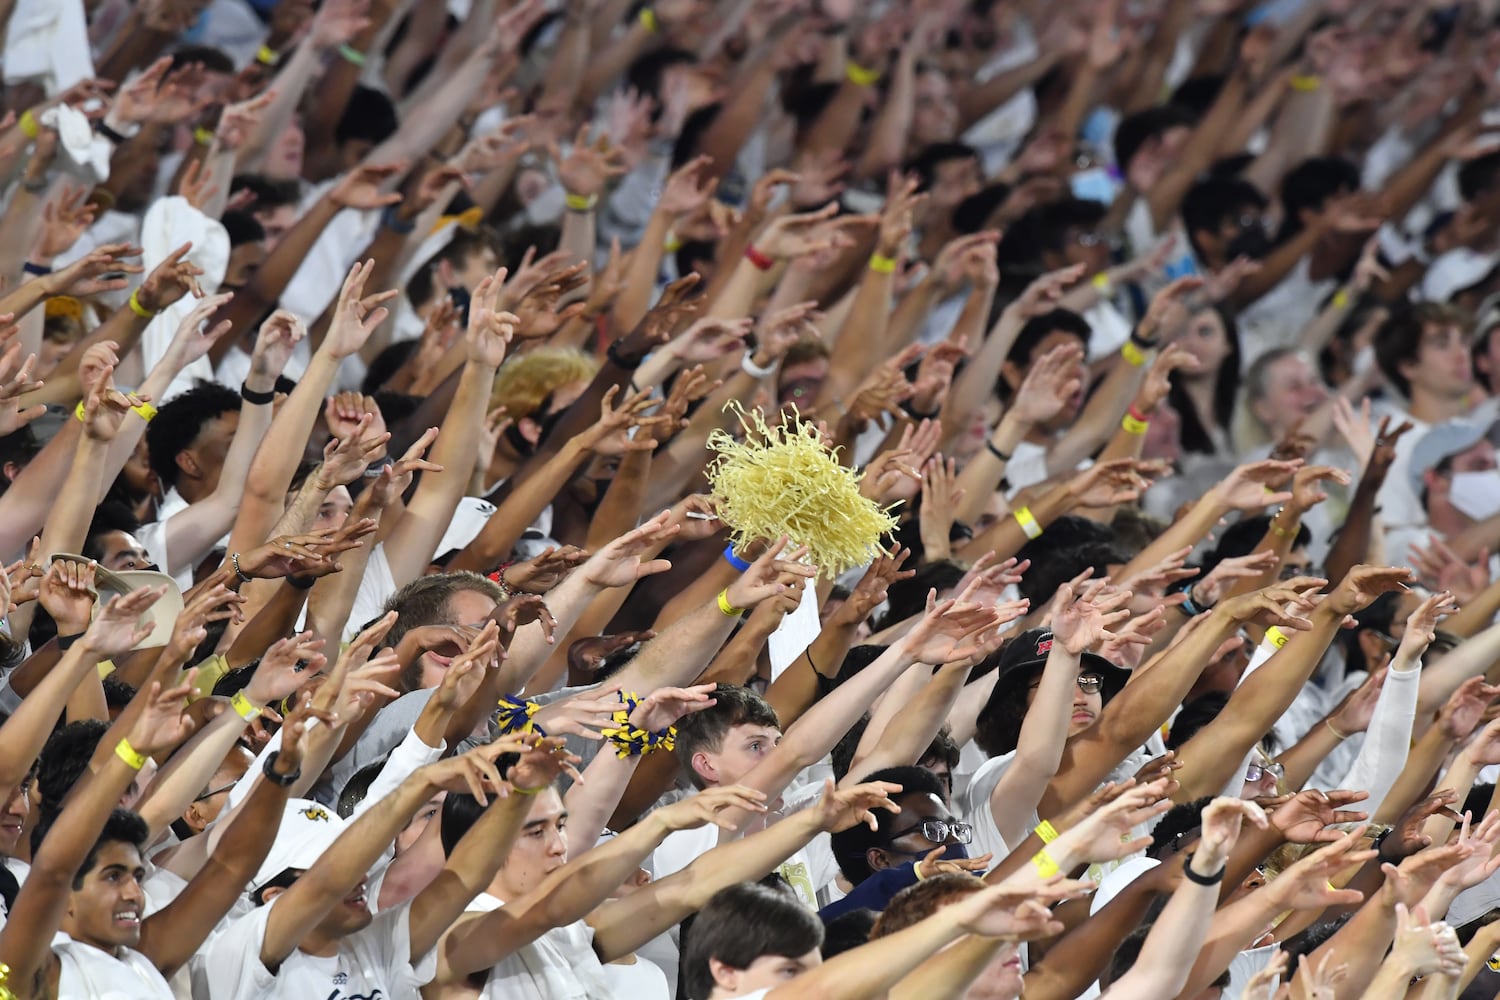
(371, 963)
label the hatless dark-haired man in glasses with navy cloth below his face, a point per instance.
(880, 863)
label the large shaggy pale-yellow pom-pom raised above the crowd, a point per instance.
(787, 482)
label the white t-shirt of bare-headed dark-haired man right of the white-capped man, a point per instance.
(559, 966)
